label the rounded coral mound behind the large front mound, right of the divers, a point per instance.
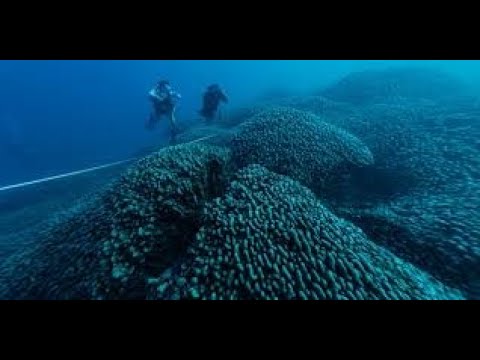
(300, 145)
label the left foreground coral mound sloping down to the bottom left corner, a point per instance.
(133, 230)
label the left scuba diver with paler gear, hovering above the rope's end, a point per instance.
(164, 100)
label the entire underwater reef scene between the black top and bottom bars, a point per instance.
(239, 180)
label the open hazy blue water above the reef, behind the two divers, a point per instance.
(58, 116)
